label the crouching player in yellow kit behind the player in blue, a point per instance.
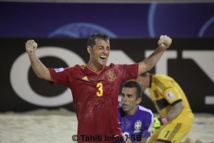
(175, 113)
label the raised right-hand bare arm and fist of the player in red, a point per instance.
(148, 63)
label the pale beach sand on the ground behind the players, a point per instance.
(60, 126)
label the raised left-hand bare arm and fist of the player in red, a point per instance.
(40, 70)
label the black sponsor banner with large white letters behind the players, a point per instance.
(189, 61)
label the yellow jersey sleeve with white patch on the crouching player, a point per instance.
(171, 95)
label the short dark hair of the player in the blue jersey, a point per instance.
(133, 84)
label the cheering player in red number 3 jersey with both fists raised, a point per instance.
(95, 86)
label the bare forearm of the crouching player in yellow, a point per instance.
(175, 111)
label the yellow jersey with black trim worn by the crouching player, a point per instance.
(165, 92)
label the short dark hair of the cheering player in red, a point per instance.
(93, 37)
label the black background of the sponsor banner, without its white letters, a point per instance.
(195, 83)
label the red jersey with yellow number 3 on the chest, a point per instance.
(95, 96)
